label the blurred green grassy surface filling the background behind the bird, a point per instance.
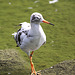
(60, 43)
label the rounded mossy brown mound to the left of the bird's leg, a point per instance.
(11, 62)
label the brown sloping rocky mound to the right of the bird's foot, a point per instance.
(63, 68)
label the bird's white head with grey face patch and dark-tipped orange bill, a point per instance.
(38, 18)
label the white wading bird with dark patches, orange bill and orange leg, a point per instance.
(31, 37)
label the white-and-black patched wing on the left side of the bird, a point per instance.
(22, 32)
